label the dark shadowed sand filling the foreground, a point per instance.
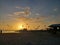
(30, 38)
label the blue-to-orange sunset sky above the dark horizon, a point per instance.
(32, 14)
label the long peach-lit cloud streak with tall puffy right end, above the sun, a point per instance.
(25, 13)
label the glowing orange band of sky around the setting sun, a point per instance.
(27, 23)
